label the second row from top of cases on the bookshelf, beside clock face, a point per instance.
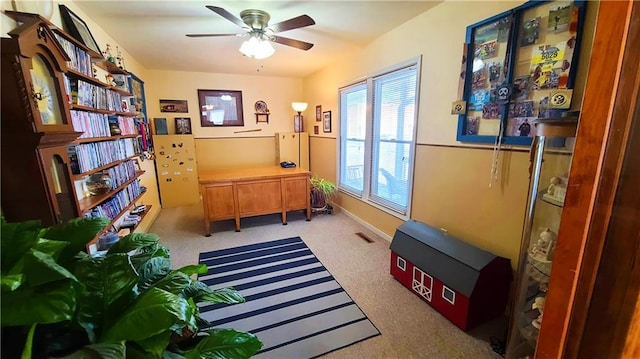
(89, 95)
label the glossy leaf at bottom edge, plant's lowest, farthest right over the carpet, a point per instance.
(225, 343)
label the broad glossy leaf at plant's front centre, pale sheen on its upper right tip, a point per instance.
(154, 312)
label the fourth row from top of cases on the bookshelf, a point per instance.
(88, 156)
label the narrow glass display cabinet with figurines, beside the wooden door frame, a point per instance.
(551, 154)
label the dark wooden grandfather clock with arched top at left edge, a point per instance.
(35, 127)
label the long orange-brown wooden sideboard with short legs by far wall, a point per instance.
(246, 192)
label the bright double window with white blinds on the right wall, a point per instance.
(377, 137)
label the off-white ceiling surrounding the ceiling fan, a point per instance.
(153, 32)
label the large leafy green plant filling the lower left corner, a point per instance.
(57, 301)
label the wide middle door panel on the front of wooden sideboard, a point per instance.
(259, 197)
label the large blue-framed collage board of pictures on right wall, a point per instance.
(515, 62)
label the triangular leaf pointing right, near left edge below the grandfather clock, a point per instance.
(40, 268)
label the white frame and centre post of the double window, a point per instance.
(366, 195)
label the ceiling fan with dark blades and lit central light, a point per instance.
(256, 25)
